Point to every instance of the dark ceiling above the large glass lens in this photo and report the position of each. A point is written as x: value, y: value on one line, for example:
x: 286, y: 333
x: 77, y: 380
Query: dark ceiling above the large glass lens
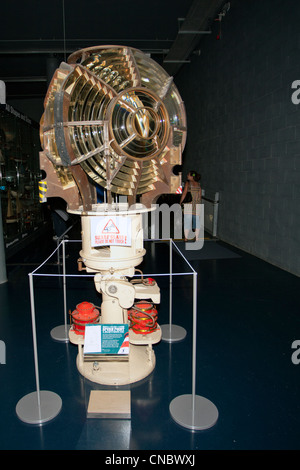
x: 36, y: 35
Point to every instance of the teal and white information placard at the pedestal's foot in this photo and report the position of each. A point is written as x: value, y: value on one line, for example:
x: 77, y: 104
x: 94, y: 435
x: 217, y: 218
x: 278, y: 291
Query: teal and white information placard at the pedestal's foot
x: 106, y: 339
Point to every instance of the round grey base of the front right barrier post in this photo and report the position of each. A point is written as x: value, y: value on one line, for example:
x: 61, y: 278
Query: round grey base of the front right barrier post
x: 202, y: 415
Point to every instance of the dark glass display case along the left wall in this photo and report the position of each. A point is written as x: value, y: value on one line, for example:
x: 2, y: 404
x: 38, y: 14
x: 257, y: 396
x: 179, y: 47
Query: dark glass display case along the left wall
x: 22, y: 213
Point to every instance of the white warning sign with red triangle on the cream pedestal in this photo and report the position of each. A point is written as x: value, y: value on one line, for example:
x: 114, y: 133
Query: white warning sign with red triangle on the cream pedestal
x: 110, y: 230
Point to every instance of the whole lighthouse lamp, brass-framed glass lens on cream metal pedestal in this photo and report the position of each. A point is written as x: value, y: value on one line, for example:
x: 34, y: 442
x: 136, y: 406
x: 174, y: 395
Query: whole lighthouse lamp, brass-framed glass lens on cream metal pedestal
x: 113, y: 118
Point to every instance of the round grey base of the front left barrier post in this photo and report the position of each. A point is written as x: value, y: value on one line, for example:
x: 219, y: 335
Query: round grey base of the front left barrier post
x: 30, y: 411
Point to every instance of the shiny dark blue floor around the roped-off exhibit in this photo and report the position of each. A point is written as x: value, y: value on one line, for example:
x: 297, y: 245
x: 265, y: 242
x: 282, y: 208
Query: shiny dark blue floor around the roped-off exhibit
x: 247, y: 320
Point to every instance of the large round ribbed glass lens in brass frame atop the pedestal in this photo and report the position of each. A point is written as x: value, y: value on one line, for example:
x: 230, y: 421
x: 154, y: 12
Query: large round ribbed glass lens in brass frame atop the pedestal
x: 114, y: 114
